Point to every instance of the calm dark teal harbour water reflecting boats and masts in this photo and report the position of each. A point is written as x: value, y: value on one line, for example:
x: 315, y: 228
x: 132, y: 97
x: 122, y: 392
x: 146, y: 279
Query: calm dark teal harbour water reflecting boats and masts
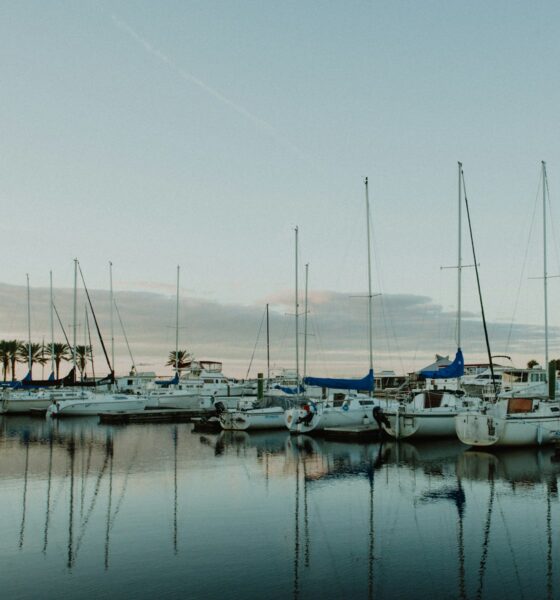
x: 158, y: 511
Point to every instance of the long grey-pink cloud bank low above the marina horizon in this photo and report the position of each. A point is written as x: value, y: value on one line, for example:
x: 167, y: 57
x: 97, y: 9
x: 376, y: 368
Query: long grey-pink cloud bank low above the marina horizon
x: 408, y: 330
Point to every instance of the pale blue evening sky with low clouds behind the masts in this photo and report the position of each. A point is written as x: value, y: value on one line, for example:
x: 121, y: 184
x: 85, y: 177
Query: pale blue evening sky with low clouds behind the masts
x: 201, y: 134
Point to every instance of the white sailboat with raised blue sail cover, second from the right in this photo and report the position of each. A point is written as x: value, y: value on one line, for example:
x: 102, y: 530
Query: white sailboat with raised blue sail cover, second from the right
x: 431, y: 412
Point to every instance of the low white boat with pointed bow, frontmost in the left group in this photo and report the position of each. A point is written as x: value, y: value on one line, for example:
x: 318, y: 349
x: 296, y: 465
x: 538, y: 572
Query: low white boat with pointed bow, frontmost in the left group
x: 93, y: 404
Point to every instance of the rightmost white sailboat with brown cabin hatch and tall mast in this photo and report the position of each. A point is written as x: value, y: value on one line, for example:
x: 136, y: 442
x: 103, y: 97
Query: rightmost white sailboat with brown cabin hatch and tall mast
x: 529, y: 416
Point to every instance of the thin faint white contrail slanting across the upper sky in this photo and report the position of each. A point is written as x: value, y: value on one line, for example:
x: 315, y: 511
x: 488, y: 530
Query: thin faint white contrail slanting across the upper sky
x: 201, y: 84
